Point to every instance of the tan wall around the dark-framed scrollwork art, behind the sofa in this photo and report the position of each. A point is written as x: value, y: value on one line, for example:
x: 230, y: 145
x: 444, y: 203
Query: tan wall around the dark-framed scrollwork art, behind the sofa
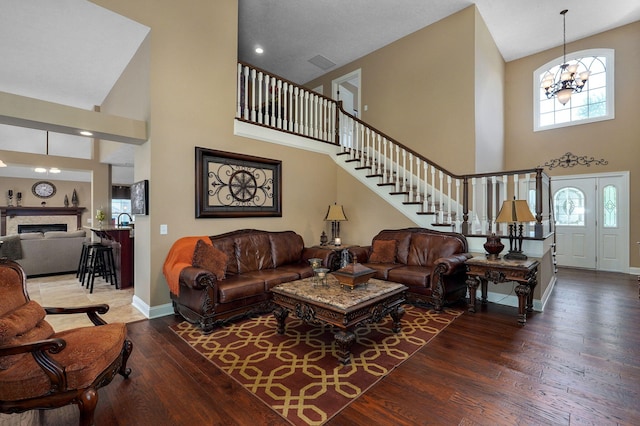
x: 192, y: 96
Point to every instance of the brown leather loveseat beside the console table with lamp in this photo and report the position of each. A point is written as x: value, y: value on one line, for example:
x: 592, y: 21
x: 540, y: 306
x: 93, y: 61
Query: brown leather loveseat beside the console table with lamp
x: 430, y: 263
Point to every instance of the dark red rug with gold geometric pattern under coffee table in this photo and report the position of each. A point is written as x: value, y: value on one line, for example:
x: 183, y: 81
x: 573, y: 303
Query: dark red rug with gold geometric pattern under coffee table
x: 298, y: 373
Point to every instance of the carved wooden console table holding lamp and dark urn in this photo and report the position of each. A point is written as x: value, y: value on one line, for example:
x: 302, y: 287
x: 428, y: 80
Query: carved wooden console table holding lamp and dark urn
x: 481, y: 270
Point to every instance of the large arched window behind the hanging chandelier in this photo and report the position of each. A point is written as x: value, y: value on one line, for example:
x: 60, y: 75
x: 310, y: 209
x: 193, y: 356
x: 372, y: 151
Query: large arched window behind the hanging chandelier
x: 594, y: 103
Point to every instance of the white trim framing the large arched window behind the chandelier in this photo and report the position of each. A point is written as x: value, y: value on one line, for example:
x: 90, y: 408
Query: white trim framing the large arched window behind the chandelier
x: 609, y: 54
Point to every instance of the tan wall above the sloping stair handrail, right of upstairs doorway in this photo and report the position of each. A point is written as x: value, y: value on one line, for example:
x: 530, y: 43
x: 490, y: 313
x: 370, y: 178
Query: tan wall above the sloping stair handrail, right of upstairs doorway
x: 420, y: 90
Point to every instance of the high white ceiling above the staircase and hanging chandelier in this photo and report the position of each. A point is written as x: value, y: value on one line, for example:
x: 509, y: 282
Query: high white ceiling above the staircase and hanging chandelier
x: 292, y: 32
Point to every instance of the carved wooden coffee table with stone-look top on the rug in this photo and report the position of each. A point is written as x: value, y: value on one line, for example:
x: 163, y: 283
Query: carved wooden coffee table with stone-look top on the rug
x: 340, y: 307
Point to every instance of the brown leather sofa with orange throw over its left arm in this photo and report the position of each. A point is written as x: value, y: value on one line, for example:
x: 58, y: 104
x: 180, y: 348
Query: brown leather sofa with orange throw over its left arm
x: 217, y: 279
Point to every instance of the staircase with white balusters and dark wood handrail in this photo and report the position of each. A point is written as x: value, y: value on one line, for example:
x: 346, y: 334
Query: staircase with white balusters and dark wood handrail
x: 426, y: 193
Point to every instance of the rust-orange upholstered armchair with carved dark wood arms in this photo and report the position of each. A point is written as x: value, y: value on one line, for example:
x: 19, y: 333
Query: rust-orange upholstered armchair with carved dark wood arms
x: 42, y: 369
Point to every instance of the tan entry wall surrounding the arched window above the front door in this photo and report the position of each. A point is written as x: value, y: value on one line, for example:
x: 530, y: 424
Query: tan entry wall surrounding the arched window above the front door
x: 617, y: 140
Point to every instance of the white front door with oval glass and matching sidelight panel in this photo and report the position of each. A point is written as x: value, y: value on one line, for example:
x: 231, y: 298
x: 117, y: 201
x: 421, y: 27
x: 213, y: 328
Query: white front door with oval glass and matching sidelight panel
x: 592, y: 221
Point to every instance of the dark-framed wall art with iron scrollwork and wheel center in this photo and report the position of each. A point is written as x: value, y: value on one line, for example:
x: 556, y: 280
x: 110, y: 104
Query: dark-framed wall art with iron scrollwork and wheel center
x: 237, y: 185
